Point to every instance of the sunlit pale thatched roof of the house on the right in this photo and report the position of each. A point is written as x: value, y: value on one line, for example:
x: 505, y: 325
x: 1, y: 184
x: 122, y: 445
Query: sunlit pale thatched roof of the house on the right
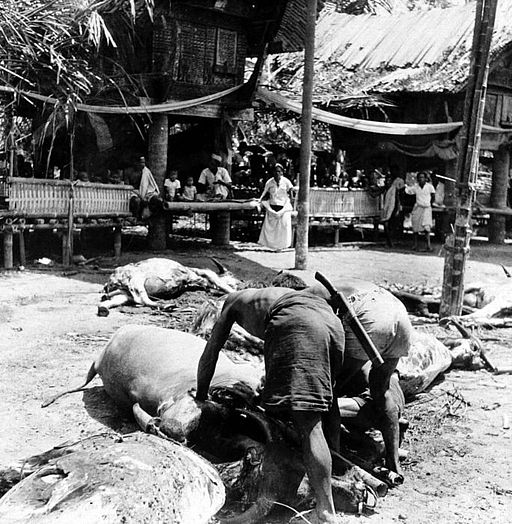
x: 426, y: 51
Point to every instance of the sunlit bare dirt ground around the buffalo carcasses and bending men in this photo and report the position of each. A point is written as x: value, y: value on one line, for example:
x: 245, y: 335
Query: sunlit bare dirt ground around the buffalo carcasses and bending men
x: 460, y: 459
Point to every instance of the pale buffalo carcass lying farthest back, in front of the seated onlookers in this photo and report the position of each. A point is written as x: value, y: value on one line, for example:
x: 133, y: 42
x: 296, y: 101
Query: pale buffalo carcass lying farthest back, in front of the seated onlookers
x: 143, y: 281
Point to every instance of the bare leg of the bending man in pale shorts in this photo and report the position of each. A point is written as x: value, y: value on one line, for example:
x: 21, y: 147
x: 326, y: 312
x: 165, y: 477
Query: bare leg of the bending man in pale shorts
x: 387, y: 409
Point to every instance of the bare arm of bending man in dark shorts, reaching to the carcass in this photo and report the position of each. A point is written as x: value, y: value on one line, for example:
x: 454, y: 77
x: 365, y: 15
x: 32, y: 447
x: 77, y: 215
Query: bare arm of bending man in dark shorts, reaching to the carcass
x: 208, y: 360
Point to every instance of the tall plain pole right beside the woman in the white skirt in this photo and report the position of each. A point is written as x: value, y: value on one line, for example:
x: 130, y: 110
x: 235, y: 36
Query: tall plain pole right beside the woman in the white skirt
x: 301, y: 246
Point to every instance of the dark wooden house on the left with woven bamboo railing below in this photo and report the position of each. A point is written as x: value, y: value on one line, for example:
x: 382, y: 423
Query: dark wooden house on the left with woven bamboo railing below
x: 172, y: 88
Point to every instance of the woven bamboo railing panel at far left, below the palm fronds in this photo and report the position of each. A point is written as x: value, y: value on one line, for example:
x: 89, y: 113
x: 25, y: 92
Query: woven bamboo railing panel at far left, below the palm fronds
x: 35, y: 198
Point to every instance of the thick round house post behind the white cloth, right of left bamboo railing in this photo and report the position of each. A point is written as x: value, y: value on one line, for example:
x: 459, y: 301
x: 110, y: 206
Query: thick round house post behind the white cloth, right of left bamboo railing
x: 158, y: 138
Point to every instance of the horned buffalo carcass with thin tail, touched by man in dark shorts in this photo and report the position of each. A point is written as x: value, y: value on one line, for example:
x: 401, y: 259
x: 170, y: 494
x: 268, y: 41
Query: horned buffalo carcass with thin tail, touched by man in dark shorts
x: 152, y: 371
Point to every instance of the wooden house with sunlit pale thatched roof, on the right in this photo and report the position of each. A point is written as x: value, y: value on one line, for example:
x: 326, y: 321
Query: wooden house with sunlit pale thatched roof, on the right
x: 416, y: 66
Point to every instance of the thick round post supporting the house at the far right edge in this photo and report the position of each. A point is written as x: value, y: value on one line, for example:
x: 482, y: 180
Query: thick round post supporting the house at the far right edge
x: 499, y: 189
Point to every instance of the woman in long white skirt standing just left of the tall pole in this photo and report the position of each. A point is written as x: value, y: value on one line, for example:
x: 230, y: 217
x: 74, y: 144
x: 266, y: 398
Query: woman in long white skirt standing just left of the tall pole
x: 276, y: 232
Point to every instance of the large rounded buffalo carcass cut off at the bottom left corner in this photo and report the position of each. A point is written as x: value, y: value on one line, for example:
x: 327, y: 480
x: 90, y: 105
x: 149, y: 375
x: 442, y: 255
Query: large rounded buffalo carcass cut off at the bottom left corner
x: 107, y: 478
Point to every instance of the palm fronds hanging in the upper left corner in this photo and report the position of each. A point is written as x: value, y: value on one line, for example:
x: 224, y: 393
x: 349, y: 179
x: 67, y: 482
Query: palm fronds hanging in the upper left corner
x: 50, y: 46
